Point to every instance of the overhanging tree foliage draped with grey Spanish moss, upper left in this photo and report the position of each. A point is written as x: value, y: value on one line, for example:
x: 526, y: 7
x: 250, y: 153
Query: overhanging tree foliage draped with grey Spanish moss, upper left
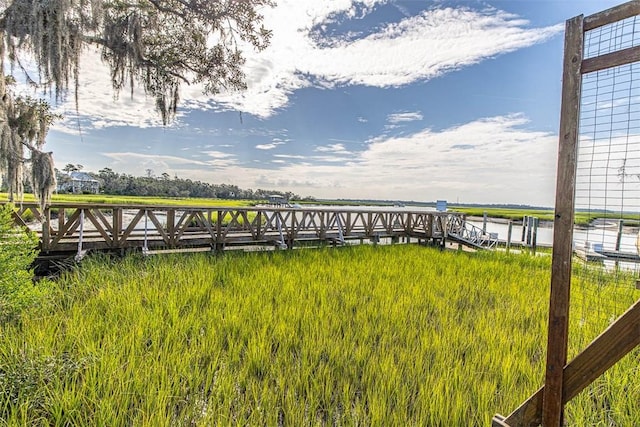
x: 156, y: 44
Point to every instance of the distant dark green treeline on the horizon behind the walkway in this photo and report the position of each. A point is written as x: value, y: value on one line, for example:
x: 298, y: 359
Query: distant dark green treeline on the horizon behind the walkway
x: 112, y: 182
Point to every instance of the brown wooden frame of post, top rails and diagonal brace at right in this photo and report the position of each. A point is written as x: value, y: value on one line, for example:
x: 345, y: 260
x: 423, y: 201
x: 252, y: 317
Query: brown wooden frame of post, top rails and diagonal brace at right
x: 565, y: 379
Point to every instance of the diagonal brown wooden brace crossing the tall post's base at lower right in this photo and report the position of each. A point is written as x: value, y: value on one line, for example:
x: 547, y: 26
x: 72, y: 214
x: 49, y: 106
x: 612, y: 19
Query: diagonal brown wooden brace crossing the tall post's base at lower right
x: 607, y: 349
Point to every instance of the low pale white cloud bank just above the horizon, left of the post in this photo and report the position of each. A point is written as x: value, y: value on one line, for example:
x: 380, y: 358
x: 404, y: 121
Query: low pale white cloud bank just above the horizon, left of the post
x: 491, y: 160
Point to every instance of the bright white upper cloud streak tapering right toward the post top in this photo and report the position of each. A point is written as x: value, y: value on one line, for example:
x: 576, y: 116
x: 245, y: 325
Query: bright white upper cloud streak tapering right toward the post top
x: 418, y: 48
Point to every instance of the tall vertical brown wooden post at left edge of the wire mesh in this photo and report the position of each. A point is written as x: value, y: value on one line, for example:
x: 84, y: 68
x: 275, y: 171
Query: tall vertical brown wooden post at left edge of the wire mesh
x: 553, y: 407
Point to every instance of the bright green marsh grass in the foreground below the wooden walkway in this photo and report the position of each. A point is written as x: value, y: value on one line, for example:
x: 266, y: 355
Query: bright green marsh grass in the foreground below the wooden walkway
x: 386, y: 335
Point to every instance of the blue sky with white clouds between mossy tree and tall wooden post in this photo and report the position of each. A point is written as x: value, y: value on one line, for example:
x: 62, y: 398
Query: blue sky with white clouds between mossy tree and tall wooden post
x: 378, y: 99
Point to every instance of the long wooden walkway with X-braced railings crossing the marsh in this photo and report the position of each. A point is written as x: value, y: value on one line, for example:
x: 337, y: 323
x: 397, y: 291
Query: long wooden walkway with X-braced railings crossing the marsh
x: 66, y: 229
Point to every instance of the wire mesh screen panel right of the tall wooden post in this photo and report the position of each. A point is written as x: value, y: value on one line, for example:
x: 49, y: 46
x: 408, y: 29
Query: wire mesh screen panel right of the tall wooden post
x: 608, y: 178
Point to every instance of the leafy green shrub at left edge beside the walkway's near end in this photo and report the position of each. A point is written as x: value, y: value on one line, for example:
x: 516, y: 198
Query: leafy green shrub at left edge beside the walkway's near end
x: 17, y: 253
